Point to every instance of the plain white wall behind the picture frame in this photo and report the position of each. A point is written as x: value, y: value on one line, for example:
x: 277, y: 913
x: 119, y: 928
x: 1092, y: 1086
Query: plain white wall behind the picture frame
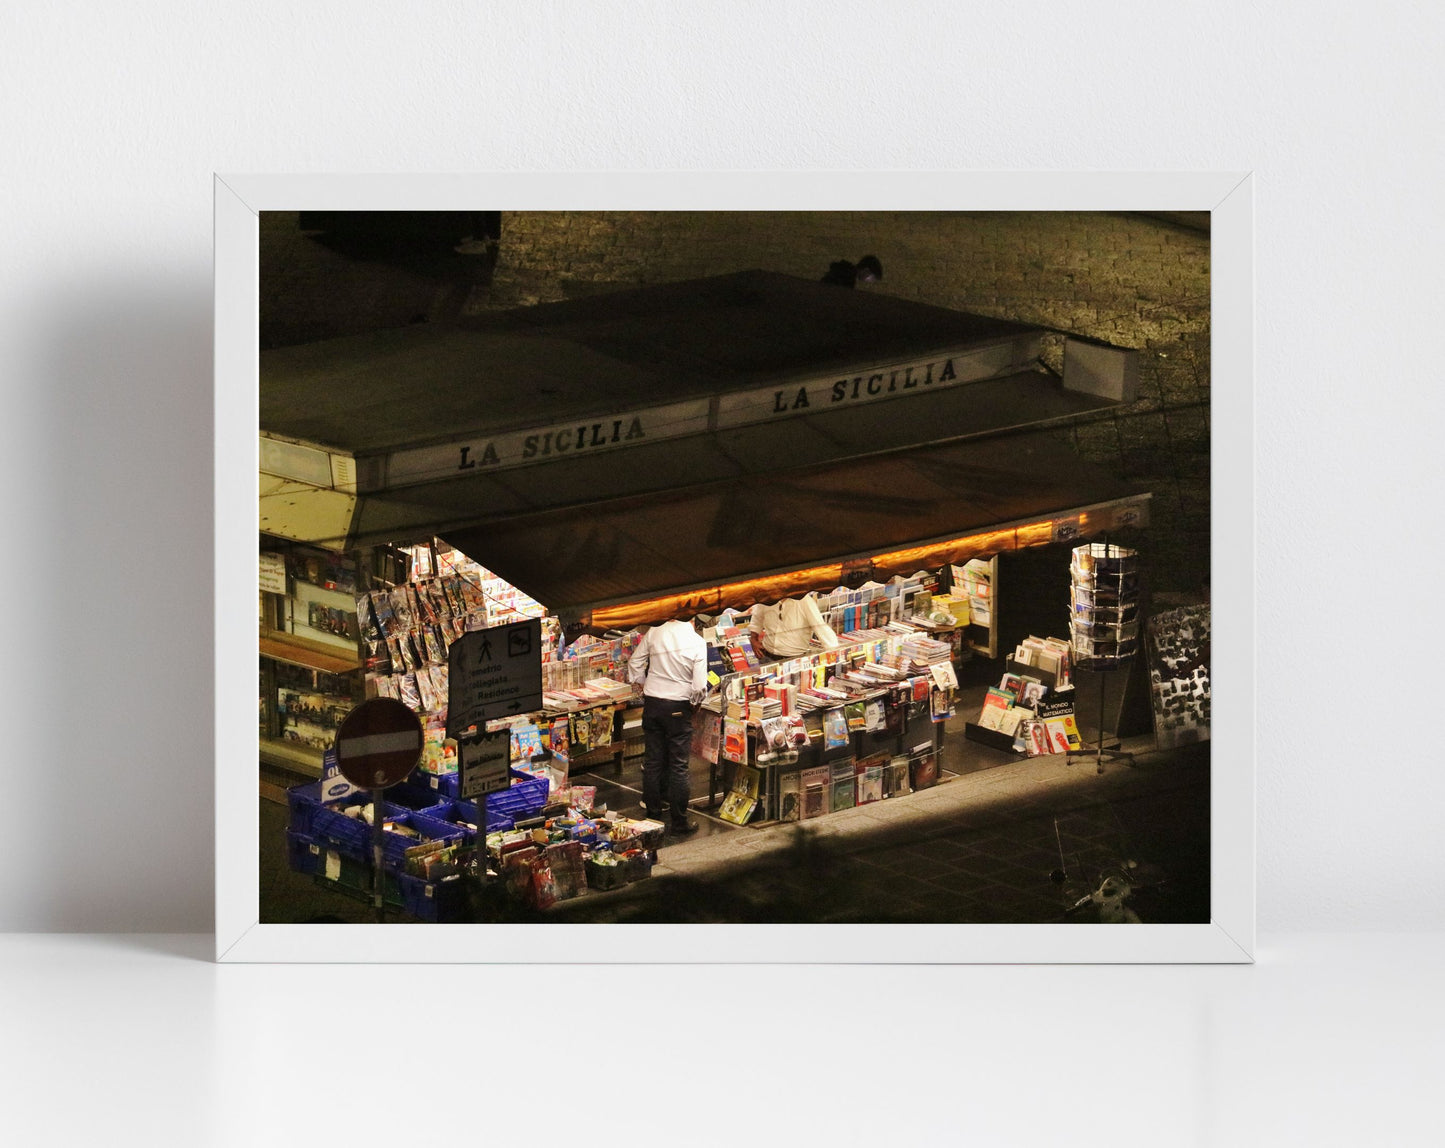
x: 113, y: 118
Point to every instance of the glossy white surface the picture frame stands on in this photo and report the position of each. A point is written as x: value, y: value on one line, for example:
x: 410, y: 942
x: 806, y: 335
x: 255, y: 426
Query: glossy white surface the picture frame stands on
x: 1327, y: 1040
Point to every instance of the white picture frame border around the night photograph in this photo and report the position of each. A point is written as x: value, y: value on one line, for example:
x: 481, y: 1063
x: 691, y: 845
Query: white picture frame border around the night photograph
x: 1230, y: 936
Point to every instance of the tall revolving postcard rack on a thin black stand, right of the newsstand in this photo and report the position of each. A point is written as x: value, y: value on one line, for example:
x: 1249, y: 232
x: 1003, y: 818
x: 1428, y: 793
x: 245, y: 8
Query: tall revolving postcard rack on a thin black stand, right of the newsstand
x: 1103, y: 624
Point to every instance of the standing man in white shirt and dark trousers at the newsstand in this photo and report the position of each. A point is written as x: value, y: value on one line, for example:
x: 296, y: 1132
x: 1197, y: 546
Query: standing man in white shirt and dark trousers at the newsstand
x: 671, y: 664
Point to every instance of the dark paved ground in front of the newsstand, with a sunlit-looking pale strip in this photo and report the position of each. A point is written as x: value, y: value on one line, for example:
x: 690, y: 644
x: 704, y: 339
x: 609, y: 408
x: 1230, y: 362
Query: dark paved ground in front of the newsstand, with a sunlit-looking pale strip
x: 989, y: 847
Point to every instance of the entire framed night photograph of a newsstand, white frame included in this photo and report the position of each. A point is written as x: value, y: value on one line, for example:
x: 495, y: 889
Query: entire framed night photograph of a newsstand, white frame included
x: 530, y: 417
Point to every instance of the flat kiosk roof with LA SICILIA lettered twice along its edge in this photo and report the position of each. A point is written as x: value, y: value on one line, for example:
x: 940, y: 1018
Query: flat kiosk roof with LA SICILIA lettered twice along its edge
x: 401, y: 436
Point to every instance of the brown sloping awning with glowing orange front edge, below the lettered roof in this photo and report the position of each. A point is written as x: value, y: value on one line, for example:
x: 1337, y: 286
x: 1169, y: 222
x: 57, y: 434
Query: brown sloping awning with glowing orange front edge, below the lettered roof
x: 772, y: 536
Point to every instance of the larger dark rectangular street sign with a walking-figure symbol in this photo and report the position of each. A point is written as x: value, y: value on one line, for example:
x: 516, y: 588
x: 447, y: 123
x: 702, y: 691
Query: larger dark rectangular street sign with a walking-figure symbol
x: 495, y: 673
